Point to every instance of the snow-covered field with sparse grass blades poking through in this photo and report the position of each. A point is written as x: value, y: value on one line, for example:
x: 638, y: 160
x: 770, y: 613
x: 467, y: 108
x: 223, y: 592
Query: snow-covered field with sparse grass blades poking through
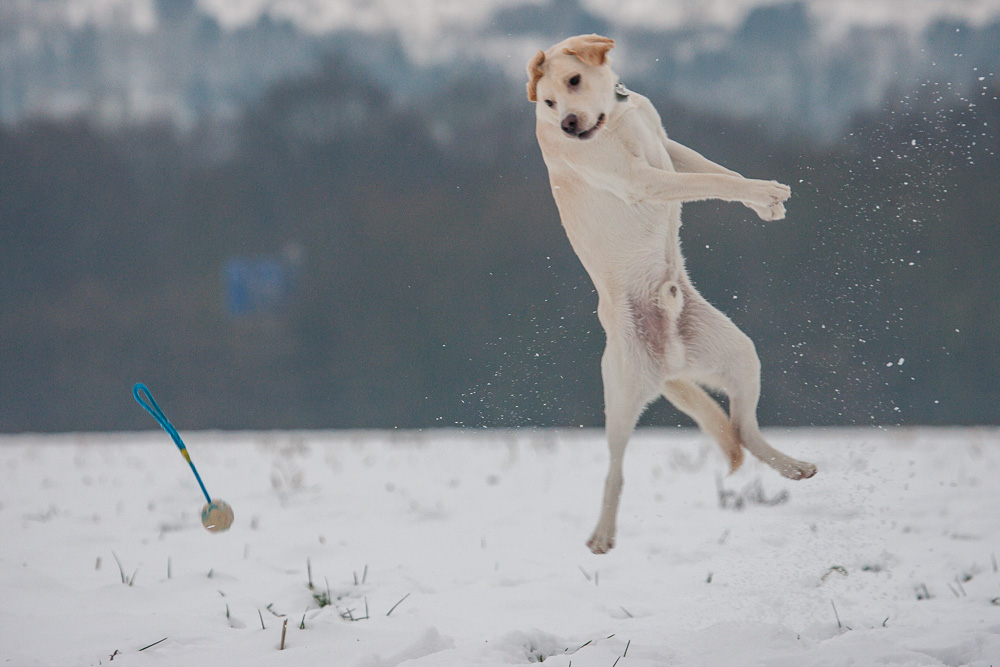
x: 460, y: 548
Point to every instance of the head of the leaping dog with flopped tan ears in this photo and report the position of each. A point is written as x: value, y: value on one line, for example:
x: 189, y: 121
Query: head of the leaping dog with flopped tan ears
x: 573, y: 86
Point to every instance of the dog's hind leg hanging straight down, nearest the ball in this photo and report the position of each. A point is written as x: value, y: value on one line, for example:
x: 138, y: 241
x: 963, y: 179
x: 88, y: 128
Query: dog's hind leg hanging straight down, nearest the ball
x: 625, y: 396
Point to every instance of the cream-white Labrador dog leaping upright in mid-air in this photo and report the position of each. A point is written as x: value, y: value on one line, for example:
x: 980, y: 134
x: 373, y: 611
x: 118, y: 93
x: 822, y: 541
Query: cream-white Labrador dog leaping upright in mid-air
x: 619, y: 182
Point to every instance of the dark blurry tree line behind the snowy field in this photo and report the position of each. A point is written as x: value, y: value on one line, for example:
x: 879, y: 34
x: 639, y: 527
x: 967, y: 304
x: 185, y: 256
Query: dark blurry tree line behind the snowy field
x: 434, y: 285
